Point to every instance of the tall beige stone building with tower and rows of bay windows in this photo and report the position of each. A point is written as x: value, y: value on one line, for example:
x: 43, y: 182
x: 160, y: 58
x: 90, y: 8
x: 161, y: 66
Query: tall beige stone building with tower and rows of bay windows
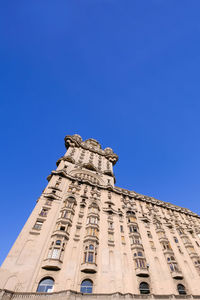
x: 87, y: 238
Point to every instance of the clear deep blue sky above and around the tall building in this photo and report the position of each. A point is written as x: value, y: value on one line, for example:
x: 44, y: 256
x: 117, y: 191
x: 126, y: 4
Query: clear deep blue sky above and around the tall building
x: 123, y: 72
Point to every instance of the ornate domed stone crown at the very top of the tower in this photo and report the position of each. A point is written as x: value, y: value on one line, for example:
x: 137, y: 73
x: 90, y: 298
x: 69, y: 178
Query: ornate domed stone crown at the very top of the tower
x: 91, y: 145
